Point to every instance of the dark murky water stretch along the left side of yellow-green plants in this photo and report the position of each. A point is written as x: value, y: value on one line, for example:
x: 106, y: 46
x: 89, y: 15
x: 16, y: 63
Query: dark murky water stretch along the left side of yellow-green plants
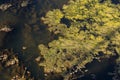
x: 24, y: 35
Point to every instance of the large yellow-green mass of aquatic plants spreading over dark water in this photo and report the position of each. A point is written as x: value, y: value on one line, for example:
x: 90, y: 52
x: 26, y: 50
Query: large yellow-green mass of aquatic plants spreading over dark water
x: 93, y: 31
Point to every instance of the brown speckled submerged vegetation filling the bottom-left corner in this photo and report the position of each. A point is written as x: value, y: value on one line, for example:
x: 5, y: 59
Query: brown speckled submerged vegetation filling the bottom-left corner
x: 11, y: 68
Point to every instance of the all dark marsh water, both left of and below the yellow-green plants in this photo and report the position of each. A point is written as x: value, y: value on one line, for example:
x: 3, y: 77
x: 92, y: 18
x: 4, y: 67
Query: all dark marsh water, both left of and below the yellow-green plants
x: 28, y: 32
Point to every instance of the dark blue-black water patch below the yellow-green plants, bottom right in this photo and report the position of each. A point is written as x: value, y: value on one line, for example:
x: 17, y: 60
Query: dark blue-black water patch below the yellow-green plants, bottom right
x: 100, y: 69
